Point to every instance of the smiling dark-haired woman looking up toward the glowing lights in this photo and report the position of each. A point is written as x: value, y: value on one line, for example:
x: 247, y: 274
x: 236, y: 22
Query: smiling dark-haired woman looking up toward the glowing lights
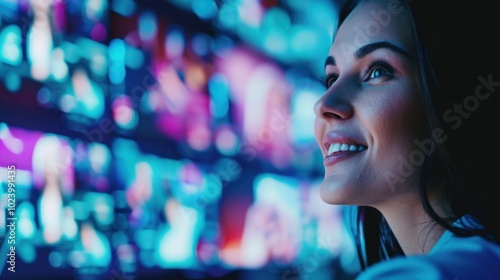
x: 406, y: 128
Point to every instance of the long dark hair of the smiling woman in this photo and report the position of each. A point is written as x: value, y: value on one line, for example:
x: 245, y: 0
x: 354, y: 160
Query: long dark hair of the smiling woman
x: 457, y: 66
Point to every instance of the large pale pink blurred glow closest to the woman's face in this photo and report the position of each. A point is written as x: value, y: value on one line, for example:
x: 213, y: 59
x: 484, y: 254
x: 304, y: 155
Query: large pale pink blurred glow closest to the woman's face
x: 261, y: 100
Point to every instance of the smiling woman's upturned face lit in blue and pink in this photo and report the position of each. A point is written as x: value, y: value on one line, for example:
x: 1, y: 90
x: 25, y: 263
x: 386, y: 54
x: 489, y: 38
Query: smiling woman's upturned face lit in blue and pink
x: 370, y: 118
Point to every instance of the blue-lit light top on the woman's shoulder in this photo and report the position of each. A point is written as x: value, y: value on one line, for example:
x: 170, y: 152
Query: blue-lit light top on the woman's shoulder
x: 452, y: 258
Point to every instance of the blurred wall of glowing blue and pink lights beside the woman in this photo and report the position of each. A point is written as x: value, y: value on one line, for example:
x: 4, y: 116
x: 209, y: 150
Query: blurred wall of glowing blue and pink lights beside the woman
x: 164, y: 138
